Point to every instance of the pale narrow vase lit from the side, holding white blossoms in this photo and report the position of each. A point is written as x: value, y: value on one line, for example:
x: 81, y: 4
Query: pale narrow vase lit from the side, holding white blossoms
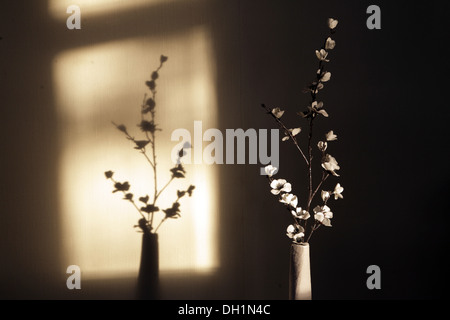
x: 299, y: 273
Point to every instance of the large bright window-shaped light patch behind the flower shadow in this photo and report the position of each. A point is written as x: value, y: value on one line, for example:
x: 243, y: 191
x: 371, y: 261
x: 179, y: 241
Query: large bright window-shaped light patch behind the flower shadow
x: 99, y: 84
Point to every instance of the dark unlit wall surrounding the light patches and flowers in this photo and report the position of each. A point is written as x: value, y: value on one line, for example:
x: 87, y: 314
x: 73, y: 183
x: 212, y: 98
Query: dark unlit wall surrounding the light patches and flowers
x: 387, y: 101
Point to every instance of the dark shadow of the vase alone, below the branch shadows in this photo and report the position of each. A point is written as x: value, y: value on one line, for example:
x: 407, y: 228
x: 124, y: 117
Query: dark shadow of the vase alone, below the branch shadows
x: 148, y: 278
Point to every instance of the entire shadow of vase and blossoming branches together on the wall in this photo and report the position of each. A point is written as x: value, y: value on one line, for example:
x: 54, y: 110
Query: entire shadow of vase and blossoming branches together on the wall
x: 147, y: 206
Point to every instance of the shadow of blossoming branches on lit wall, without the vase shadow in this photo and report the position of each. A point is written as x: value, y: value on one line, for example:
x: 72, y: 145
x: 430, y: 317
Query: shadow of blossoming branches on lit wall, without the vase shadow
x: 148, y: 126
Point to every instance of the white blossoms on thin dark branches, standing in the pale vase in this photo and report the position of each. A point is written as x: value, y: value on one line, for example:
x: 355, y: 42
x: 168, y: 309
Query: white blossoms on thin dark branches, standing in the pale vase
x: 300, y: 231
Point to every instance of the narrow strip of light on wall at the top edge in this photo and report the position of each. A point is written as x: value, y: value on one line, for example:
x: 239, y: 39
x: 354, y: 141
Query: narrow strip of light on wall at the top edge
x: 89, y: 8
